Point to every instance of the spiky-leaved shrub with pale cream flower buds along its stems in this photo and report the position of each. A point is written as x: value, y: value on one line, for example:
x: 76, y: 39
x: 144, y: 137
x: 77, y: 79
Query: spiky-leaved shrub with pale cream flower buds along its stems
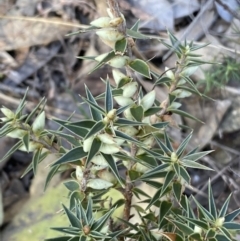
x: 129, y: 131
